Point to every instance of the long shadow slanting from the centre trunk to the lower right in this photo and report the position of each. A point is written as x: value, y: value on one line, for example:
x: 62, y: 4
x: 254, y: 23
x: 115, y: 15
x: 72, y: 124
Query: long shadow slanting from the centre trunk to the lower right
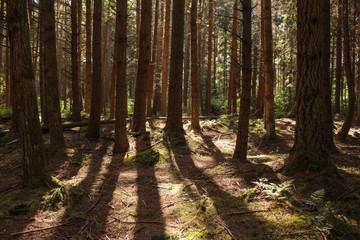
x: 241, y: 226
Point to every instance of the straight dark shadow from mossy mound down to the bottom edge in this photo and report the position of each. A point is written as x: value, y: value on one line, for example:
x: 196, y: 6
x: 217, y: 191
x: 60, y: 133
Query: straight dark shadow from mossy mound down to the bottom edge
x: 149, y: 217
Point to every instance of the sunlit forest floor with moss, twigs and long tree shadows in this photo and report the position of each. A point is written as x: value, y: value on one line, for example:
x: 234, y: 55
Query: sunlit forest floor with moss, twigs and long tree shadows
x: 181, y: 188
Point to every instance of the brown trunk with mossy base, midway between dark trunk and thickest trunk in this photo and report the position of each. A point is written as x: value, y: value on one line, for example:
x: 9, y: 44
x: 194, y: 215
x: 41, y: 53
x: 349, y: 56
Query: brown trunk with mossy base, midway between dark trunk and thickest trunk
x: 269, y: 72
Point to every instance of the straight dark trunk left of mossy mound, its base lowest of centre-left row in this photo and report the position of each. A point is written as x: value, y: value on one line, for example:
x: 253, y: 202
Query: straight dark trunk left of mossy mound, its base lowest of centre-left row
x: 121, y: 141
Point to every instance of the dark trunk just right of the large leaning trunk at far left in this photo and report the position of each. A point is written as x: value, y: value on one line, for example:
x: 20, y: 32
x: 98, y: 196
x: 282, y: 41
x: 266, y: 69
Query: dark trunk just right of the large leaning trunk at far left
x: 50, y: 72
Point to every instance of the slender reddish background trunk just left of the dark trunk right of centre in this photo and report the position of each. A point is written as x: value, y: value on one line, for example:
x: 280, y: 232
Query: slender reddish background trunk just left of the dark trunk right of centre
x: 233, y: 56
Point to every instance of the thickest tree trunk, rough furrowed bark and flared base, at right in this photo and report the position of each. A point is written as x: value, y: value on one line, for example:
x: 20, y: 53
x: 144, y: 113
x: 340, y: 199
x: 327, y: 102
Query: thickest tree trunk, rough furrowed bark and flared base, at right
x: 310, y: 152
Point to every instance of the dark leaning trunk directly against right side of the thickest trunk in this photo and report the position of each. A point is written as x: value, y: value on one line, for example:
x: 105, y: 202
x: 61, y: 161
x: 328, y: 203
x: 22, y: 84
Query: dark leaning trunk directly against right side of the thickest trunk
x: 326, y: 81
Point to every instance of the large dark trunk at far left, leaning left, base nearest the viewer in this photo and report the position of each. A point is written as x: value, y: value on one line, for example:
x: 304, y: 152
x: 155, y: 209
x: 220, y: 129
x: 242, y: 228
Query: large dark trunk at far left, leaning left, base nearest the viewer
x: 22, y: 74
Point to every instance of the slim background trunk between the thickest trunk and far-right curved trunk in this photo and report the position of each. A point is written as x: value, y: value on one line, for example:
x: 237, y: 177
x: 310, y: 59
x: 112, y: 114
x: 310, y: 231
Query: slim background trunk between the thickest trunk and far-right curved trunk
x: 338, y: 58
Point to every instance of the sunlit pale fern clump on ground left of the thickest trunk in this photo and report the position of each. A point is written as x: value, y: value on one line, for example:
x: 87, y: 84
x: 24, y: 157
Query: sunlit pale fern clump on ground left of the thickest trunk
x: 272, y: 190
